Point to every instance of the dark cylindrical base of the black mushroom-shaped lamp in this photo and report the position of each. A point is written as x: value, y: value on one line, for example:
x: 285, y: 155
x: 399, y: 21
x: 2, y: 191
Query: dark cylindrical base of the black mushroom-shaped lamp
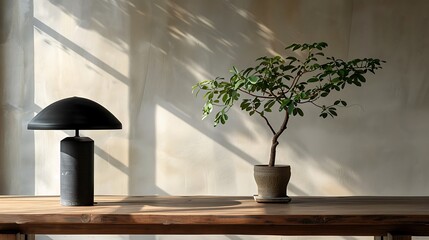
x: 77, y: 171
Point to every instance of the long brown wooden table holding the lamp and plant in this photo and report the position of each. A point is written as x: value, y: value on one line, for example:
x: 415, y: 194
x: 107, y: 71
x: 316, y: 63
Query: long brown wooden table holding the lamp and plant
x: 395, y: 217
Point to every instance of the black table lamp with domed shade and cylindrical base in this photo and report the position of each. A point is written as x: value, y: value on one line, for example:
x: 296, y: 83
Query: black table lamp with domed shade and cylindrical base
x: 77, y: 153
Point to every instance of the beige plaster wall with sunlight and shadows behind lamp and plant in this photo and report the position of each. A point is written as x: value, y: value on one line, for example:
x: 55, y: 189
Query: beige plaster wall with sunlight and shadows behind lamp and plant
x: 140, y: 58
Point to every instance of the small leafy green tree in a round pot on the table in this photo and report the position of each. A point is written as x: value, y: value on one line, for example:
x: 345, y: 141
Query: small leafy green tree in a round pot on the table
x: 283, y: 84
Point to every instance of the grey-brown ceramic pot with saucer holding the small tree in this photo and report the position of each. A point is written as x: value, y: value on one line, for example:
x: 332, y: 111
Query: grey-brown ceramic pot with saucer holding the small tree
x: 272, y: 183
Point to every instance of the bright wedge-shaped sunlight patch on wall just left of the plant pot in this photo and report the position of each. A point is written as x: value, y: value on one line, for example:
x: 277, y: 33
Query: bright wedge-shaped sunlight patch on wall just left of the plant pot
x: 189, y: 162
